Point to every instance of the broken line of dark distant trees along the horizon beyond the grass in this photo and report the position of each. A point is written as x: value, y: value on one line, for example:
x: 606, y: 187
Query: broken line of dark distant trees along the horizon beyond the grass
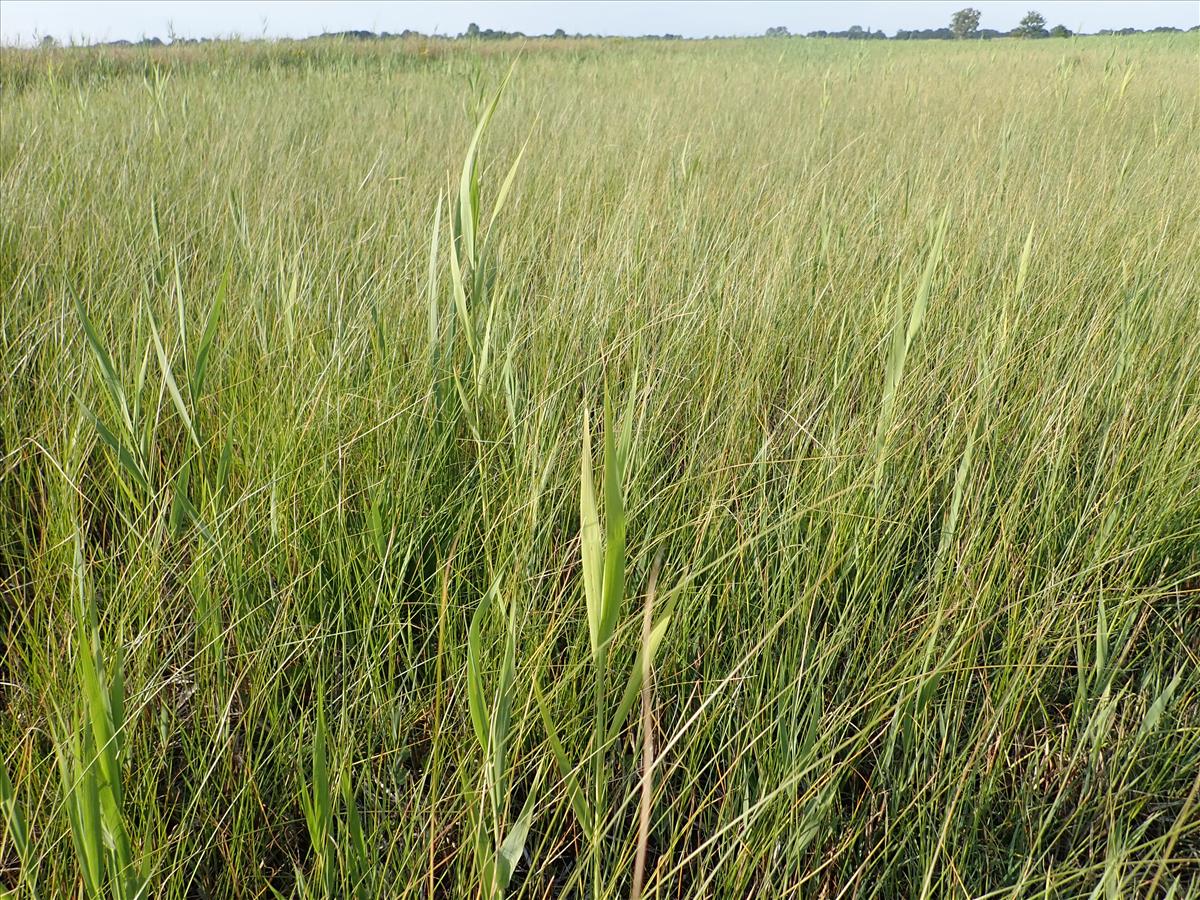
x: 964, y: 26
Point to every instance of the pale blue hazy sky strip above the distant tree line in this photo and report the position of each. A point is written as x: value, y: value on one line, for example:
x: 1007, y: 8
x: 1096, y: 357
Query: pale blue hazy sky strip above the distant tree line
x: 26, y: 21
